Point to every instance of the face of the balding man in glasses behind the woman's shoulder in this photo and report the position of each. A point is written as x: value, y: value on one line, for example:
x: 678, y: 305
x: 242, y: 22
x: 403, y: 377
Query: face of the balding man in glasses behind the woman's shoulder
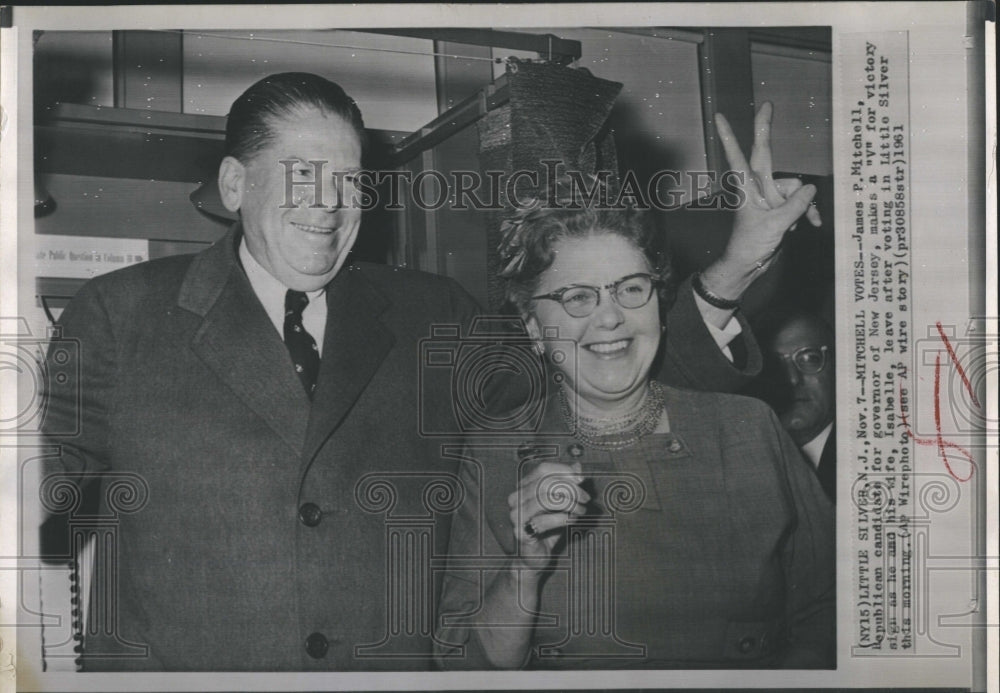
x: 812, y: 398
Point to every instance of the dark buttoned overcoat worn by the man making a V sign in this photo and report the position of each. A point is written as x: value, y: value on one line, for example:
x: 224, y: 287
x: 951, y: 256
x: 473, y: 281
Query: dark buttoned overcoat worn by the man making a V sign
x: 265, y: 533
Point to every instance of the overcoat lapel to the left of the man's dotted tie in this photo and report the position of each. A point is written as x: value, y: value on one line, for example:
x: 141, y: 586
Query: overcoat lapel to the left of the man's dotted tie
x: 238, y: 342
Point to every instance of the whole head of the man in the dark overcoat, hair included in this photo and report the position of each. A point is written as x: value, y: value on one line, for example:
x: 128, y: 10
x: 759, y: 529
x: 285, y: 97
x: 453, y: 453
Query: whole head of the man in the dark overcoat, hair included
x: 303, y: 241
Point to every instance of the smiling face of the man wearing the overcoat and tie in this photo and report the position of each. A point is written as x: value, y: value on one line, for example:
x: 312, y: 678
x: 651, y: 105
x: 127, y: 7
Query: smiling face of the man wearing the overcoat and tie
x: 303, y: 247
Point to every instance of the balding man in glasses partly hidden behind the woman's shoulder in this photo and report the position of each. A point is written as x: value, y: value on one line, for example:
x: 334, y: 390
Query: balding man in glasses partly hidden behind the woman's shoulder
x: 803, y: 362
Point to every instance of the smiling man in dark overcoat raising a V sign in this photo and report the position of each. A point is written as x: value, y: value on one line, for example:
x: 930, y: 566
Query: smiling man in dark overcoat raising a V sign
x: 261, y: 400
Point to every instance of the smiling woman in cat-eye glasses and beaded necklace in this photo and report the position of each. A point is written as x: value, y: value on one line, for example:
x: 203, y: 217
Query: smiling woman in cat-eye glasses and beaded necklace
x: 640, y: 525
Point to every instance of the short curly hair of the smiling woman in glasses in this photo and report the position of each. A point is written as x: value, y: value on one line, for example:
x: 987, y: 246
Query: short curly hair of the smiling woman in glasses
x: 530, y: 234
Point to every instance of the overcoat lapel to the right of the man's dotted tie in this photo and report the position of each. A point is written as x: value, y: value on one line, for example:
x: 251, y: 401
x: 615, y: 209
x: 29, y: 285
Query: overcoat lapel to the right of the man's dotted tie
x: 354, y: 346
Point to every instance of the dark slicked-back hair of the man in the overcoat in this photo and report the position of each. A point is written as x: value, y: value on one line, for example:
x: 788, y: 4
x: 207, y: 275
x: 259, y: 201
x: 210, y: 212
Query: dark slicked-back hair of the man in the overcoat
x: 249, y: 126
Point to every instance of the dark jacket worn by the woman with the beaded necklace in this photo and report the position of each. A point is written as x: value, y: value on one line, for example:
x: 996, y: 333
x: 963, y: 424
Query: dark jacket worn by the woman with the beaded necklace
x: 710, y: 546
